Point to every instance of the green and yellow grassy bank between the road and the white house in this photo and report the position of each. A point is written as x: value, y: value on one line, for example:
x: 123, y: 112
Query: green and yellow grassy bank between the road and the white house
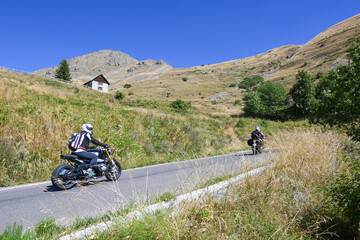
x: 38, y: 116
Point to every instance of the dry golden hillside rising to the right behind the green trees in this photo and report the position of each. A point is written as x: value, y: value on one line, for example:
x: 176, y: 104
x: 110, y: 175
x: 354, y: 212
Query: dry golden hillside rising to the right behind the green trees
x: 321, y: 54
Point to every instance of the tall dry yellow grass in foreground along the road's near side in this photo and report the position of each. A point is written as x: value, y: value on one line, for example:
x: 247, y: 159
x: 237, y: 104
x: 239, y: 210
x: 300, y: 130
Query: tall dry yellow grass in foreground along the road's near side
x: 271, y: 205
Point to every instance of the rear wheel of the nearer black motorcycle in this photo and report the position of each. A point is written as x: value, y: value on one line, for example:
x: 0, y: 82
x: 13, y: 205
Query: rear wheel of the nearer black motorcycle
x: 58, y: 177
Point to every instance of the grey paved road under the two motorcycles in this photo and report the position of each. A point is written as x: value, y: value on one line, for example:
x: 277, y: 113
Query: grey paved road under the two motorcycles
x: 28, y: 204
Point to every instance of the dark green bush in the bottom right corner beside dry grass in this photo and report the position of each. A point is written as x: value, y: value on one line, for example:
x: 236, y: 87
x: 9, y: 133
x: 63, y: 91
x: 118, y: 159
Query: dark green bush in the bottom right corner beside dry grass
x: 341, y: 207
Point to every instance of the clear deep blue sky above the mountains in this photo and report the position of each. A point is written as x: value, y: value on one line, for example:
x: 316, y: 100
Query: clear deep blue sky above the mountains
x: 38, y: 34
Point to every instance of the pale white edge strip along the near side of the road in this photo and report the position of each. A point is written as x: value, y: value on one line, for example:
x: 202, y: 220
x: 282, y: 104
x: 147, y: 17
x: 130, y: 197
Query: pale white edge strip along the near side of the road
x: 194, y: 195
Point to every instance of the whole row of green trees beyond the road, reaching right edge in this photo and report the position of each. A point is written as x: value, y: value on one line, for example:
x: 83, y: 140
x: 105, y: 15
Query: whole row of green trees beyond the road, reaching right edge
x: 332, y: 99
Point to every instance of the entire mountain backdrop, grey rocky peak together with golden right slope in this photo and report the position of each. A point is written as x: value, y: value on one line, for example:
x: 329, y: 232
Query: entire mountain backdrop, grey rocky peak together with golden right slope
x: 208, y: 85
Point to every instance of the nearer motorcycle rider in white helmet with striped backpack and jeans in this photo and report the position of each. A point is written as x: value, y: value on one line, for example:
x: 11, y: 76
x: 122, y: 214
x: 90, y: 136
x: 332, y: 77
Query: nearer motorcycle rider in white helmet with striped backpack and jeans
x: 86, y: 138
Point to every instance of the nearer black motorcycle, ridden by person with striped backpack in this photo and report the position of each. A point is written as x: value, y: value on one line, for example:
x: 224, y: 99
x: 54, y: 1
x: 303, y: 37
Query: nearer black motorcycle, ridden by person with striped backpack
x: 66, y: 176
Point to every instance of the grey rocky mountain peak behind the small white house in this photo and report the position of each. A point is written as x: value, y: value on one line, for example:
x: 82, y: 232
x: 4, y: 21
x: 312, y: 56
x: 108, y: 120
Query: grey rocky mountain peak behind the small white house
x: 116, y: 66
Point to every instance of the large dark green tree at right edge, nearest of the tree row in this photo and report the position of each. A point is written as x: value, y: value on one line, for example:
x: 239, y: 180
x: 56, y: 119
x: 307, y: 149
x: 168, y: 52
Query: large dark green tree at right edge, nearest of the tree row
x: 338, y: 95
